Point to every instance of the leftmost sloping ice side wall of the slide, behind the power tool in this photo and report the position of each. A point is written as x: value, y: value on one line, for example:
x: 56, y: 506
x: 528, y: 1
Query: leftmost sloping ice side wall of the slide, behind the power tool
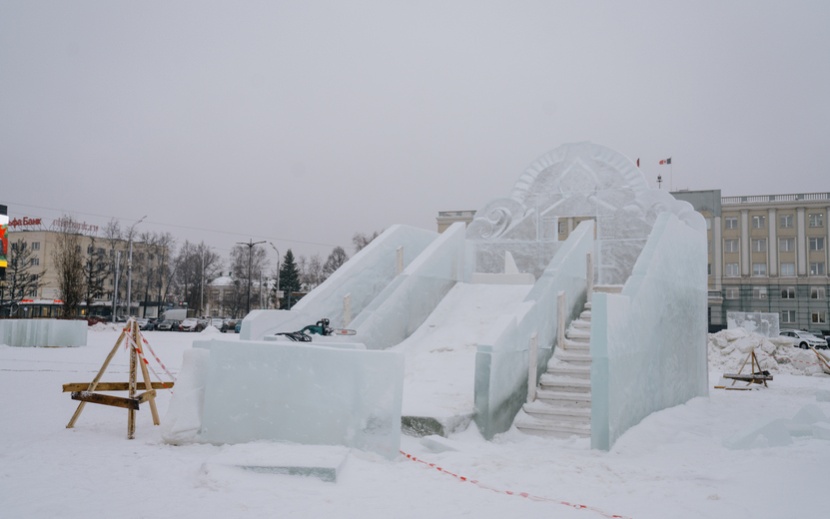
x: 362, y: 278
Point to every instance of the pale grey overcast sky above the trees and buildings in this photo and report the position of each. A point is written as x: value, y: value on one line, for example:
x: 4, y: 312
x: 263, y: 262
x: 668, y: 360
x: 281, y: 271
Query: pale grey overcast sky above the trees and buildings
x: 304, y: 122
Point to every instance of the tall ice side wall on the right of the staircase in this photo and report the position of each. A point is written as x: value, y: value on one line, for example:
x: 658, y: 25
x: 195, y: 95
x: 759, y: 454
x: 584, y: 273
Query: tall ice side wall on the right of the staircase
x: 649, y: 343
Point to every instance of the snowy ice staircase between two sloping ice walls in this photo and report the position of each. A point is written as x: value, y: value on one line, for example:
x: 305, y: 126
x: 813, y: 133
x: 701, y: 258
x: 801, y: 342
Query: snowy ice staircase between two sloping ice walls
x: 562, y: 407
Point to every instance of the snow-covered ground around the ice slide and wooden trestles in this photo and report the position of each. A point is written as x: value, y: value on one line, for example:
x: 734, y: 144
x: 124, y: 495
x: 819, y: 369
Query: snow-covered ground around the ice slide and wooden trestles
x: 710, y: 457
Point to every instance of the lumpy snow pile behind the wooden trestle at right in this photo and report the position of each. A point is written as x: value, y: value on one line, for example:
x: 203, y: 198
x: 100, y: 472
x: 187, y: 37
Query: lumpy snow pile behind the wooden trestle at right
x: 728, y: 349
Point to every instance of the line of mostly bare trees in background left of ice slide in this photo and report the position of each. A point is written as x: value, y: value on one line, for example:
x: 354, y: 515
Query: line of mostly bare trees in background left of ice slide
x: 160, y: 273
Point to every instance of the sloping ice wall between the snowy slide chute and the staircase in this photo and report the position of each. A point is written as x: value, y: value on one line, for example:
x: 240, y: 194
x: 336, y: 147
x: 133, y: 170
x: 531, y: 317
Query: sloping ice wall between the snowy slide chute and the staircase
x: 502, y: 368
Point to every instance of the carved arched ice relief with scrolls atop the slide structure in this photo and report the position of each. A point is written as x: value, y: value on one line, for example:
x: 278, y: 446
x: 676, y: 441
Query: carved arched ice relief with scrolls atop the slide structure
x: 578, y: 181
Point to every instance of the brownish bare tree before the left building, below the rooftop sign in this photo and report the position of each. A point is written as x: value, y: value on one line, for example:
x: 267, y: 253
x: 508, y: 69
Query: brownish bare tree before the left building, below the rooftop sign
x: 69, y: 265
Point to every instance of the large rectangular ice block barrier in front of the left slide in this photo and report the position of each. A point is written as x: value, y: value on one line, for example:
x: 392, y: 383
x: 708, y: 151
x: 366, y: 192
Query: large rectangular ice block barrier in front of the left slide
x: 302, y: 393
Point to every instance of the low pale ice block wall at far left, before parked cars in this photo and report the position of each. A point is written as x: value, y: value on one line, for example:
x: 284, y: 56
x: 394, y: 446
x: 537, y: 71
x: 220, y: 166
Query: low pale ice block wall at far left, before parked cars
x: 43, y: 332
